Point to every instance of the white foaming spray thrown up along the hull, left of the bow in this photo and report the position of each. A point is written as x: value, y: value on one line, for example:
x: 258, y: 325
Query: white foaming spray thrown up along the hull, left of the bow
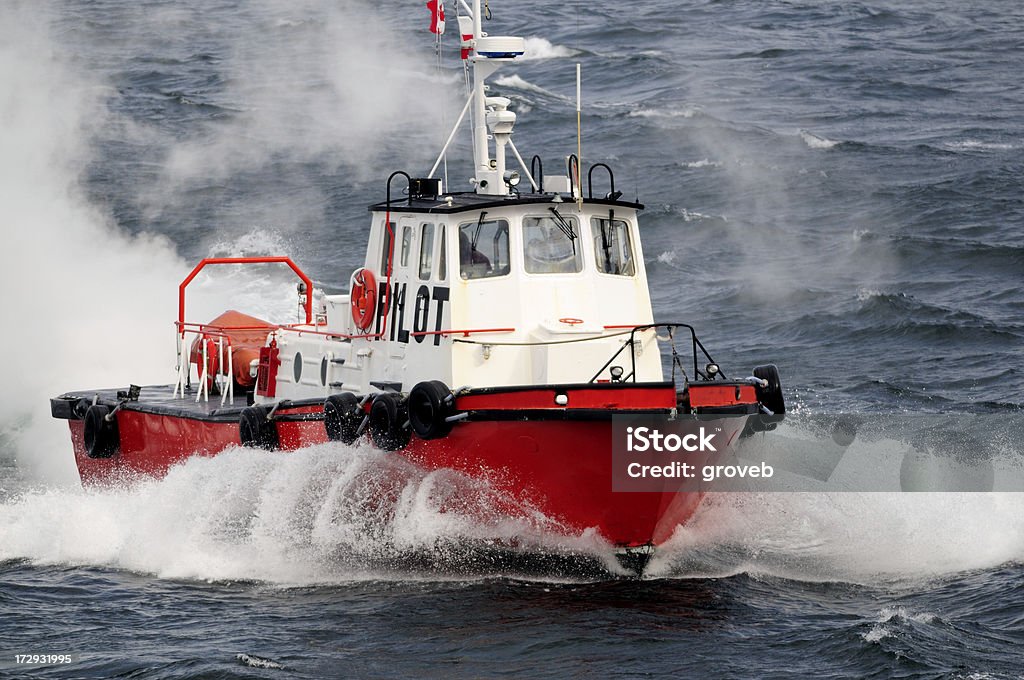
x: 320, y: 515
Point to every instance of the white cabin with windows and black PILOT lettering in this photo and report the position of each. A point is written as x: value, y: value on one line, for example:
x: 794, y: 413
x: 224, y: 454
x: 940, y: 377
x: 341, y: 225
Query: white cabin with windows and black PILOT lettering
x: 521, y: 291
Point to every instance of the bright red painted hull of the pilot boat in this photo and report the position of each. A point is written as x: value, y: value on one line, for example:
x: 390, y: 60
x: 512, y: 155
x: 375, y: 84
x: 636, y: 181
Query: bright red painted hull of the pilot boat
x: 517, y: 441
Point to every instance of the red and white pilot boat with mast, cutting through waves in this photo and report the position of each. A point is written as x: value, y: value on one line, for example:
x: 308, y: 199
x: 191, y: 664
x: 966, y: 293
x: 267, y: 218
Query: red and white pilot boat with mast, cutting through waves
x: 499, y: 332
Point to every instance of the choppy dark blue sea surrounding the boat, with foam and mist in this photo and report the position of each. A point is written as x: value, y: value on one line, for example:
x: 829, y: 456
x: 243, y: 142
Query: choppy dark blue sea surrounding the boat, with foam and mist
x: 835, y: 188
